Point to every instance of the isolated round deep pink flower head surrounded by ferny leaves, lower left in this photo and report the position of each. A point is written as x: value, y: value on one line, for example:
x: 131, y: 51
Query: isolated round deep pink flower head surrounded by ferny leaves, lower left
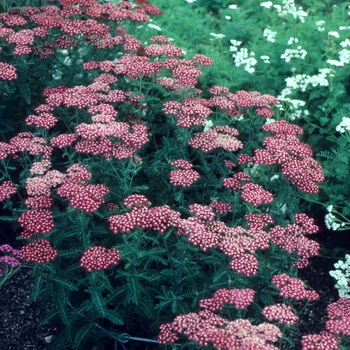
x: 99, y: 258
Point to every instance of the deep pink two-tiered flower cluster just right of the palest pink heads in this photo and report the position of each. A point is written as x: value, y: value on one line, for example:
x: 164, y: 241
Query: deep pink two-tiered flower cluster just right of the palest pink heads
x: 81, y: 195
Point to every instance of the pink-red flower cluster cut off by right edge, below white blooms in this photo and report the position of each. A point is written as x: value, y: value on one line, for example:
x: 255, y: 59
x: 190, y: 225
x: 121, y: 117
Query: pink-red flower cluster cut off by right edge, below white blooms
x: 339, y: 317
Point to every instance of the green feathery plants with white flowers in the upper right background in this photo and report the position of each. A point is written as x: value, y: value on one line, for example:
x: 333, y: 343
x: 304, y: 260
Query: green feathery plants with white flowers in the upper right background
x: 295, y: 50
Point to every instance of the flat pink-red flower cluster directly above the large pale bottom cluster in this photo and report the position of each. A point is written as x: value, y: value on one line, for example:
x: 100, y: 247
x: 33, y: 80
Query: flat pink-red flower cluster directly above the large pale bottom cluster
x: 240, y: 298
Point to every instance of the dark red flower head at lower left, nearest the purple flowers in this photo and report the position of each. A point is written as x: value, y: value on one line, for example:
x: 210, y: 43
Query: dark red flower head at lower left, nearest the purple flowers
x: 39, y: 251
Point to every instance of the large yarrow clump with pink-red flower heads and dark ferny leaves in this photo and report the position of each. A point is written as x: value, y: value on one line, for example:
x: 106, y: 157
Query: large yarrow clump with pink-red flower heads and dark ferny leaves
x: 138, y: 192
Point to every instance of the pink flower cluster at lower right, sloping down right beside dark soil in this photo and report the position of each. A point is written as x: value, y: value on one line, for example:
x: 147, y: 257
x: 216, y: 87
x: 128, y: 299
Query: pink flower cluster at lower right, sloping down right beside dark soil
x: 293, y: 288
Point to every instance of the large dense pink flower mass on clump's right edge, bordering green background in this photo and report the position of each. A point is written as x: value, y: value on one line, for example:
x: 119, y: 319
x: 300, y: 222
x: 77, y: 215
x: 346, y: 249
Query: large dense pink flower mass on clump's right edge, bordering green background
x: 285, y: 148
